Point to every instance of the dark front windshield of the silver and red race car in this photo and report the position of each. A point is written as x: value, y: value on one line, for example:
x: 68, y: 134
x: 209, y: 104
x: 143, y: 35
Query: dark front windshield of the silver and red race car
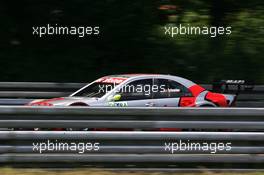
x: 96, y: 89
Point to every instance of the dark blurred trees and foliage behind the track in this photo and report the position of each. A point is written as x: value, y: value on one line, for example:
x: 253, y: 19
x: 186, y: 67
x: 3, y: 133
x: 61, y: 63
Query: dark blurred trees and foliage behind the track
x: 131, y: 40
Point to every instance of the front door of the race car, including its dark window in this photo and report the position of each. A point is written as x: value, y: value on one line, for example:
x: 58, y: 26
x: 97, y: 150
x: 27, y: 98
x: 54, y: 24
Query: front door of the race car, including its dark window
x: 135, y: 94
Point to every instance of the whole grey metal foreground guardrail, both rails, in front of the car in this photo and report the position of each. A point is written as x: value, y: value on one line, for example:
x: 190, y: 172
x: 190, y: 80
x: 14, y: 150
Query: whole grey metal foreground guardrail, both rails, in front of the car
x: 138, y: 139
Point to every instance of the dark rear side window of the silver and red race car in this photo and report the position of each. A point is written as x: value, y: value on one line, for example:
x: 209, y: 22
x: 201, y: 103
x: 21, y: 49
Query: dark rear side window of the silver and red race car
x: 170, y: 89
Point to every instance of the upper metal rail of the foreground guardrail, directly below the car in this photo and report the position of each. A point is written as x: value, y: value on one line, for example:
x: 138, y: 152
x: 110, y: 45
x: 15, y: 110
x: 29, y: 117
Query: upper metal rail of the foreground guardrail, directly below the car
x: 141, y: 118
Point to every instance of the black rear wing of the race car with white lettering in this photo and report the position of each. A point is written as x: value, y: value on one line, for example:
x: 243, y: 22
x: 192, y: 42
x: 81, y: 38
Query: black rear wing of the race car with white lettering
x: 232, y: 86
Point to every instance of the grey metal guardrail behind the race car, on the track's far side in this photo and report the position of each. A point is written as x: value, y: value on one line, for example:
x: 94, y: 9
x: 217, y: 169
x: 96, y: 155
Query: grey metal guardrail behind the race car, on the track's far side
x: 20, y: 93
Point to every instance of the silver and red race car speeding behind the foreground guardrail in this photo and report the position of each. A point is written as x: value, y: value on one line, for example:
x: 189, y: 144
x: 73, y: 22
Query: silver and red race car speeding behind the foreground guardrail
x: 141, y: 90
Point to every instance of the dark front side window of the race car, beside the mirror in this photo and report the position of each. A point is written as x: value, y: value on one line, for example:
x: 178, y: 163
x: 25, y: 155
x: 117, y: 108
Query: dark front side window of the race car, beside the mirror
x: 136, y: 90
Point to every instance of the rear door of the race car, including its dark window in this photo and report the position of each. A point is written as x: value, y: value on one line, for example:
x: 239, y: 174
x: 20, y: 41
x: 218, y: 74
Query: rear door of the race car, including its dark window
x: 170, y: 93
